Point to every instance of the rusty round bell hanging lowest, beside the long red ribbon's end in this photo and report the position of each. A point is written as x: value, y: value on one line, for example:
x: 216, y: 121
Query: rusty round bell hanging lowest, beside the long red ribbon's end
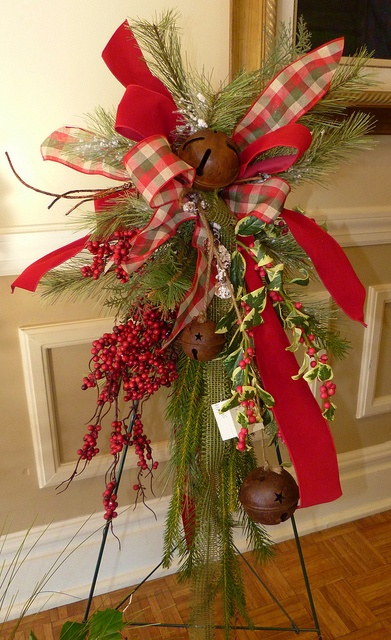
x: 269, y: 496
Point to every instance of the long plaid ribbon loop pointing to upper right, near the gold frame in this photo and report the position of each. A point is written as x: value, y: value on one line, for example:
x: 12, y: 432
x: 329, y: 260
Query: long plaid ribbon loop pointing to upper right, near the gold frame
x: 291, y: 93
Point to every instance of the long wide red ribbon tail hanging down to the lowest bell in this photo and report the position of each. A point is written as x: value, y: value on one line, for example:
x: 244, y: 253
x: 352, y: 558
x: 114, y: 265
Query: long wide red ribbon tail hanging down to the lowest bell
x: 304, y: 430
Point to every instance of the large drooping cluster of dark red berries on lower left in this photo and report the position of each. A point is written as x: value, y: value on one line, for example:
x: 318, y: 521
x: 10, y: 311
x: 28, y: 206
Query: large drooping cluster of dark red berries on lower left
x: 130, y: 363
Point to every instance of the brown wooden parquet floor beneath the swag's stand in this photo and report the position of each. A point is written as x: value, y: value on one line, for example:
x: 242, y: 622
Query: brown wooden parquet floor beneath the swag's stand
x: 349, y: 569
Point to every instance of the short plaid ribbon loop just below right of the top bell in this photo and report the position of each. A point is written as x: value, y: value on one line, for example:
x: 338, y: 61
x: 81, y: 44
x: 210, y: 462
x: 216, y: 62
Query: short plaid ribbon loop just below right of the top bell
x: 264, y: 200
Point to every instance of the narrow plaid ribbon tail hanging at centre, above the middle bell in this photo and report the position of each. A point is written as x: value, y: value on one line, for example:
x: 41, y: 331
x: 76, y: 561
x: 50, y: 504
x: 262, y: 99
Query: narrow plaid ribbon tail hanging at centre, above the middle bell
x: 201, y: 291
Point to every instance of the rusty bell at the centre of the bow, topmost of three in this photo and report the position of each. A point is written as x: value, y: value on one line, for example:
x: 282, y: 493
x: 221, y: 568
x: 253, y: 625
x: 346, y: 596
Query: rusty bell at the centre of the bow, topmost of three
x: 214, y: 156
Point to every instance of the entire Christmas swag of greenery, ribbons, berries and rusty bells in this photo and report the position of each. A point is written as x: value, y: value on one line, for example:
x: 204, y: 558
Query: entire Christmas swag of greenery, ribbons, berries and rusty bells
x: 206, y: 272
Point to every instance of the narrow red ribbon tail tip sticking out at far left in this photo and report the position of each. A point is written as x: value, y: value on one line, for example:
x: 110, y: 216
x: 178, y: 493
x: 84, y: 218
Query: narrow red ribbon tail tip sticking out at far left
x: 31, y: 276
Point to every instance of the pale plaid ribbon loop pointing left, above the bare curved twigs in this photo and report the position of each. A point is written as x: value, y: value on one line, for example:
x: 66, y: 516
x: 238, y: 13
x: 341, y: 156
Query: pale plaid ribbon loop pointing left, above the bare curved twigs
x: 62, y: 146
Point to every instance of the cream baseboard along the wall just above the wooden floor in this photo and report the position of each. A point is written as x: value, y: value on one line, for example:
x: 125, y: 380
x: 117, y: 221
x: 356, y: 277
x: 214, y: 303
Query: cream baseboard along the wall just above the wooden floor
x: 365, y: 478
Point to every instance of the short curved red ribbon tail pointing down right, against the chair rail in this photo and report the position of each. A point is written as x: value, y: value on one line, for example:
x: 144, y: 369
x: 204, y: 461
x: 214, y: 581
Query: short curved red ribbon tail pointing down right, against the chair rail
x: 330, y: 262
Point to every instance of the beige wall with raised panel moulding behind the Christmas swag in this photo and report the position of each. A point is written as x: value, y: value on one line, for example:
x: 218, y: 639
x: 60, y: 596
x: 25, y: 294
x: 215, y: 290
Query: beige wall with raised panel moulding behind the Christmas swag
x: 57, y: 76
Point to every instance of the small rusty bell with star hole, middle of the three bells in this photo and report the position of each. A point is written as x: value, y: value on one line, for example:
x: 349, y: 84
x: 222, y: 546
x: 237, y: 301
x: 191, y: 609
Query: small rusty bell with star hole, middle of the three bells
x: 200, y: 342
